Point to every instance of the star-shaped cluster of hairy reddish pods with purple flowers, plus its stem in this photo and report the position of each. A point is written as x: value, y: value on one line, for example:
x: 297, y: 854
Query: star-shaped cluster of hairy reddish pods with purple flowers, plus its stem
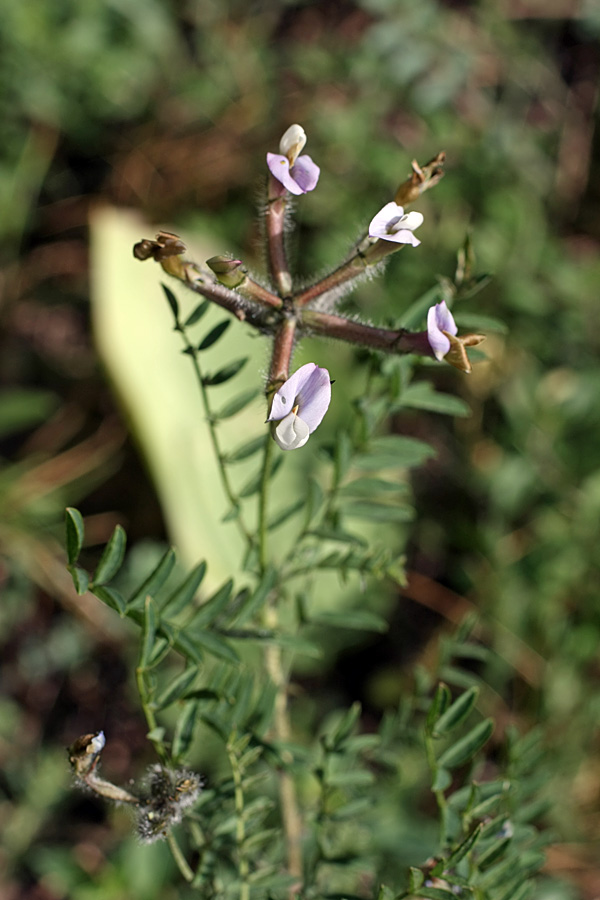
x: 296, y: 403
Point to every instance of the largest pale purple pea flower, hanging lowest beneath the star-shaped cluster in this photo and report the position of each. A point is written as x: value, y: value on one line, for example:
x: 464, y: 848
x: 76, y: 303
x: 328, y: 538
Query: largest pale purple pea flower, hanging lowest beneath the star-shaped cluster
x: 299, y: 406
